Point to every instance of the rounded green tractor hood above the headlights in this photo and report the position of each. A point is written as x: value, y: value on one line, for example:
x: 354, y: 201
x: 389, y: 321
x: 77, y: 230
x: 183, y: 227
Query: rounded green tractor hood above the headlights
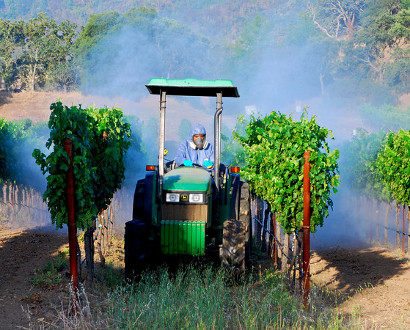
x: 187, y: 179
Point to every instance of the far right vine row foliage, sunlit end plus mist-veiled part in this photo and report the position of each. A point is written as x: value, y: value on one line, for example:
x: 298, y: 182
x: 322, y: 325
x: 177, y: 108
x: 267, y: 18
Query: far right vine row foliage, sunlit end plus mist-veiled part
x: 378, y: 165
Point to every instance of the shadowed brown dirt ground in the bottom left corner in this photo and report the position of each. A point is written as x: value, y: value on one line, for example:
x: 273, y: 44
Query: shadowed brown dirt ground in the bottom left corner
x: 22, y: 305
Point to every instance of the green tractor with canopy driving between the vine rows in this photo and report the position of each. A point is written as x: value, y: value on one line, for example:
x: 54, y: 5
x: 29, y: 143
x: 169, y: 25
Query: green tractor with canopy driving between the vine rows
x: 181, y: 211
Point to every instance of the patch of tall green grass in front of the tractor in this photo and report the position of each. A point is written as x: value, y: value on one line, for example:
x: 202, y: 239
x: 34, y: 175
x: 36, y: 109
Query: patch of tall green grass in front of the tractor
x: 195, y: 298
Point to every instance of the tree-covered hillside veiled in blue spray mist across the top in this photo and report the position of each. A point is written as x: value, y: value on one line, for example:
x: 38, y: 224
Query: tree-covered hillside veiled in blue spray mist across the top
x: 280, y: 52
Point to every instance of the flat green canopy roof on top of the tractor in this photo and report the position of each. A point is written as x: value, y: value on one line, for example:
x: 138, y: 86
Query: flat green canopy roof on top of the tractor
x: 193, y: 87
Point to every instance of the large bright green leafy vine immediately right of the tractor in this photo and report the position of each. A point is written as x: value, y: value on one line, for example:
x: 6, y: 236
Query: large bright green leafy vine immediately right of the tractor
x: 274, y: 146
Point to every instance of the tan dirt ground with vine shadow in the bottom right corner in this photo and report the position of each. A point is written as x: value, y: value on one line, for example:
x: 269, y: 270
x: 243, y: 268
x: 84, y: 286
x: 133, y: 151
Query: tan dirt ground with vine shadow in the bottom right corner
x: 373, y: 283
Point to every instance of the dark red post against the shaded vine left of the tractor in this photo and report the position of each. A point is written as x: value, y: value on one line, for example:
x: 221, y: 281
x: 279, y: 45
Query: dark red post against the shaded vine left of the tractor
x: 72, y: 229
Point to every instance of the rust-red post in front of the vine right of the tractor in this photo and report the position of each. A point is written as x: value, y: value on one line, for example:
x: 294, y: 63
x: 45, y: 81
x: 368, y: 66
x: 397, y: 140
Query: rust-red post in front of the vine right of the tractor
x: 306, y: 228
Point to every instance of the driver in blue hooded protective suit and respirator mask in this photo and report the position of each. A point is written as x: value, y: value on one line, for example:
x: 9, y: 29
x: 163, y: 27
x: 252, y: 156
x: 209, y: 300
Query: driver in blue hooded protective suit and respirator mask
x: 196, y: 150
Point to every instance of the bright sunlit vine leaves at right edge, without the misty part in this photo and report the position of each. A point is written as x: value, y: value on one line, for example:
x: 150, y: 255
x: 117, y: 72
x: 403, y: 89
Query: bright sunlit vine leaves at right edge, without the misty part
x: 393, y: 164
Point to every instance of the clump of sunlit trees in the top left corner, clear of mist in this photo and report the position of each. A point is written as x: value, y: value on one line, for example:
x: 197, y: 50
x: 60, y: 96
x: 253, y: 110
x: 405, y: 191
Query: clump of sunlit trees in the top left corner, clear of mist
x: 37, y: 52
